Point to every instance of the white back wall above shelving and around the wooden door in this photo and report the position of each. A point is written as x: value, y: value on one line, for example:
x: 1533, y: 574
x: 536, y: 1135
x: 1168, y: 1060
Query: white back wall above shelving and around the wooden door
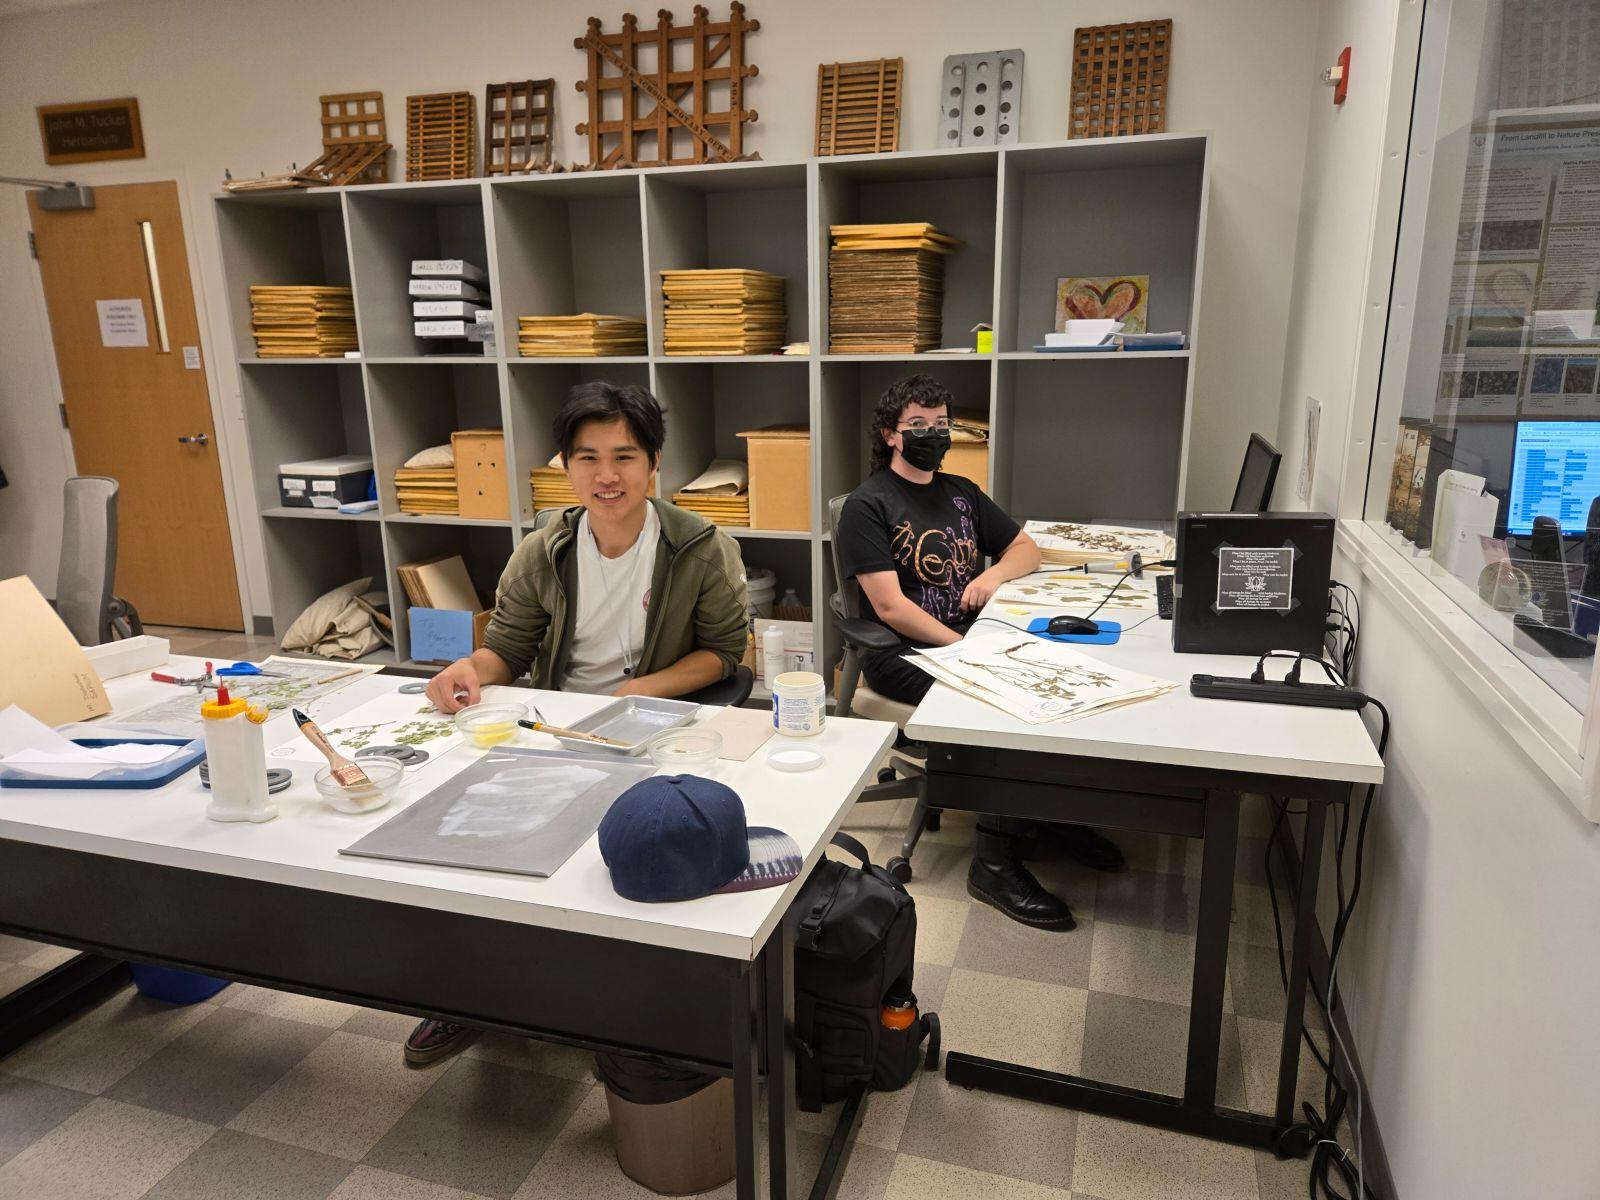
x: 236, y: 84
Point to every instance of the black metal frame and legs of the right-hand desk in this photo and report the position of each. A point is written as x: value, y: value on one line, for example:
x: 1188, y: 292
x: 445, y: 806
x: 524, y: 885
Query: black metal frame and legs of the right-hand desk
x: 1156, y: 799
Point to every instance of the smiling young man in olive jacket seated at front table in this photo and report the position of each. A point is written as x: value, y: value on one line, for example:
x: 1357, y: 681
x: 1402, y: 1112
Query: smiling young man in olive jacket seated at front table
x: 625, y: 596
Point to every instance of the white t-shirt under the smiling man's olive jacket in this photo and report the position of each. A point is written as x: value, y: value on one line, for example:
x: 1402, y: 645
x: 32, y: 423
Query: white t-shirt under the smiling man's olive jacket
x: 614, y: 604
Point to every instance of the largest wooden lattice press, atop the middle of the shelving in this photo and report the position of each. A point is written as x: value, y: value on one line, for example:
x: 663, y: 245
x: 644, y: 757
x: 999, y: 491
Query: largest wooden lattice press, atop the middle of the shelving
x: 633, y: 63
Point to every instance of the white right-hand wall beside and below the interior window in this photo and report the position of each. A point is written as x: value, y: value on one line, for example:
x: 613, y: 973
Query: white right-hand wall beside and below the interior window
x: 1473, y: 964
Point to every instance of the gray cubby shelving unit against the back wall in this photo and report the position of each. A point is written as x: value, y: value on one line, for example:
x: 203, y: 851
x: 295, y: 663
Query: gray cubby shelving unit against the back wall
x: 1071, y: 436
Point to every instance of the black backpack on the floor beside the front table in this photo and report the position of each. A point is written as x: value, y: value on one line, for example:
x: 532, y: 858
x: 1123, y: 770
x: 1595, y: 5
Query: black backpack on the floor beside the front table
x: 855, y: 943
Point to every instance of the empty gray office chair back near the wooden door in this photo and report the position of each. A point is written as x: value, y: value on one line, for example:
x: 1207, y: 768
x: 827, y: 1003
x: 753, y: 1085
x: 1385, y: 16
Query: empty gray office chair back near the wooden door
x: 89, y: 564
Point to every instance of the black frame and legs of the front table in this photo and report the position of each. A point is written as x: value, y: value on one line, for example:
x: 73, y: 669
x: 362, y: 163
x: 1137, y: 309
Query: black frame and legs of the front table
x: 698, y: 1010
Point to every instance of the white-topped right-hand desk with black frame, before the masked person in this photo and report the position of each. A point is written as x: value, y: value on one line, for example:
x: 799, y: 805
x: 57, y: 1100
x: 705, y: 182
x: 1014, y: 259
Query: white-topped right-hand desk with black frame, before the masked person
x: 1175, y: 766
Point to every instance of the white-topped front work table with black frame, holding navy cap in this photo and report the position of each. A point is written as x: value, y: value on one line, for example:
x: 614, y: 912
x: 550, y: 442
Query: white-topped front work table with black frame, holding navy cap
x: 146, y: 876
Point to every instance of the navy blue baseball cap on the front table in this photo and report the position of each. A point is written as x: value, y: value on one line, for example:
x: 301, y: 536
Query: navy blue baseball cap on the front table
x: 681, y: 838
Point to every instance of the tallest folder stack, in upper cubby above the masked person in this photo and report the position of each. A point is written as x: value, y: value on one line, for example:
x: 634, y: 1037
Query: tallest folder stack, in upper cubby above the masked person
x: 886, y: 289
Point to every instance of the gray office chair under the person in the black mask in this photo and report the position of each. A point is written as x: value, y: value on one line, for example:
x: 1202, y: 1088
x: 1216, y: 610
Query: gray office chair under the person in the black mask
x: 906, y: 774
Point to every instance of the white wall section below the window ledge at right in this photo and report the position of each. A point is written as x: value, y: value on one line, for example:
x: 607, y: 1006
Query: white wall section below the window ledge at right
x: 1473, y: 967
